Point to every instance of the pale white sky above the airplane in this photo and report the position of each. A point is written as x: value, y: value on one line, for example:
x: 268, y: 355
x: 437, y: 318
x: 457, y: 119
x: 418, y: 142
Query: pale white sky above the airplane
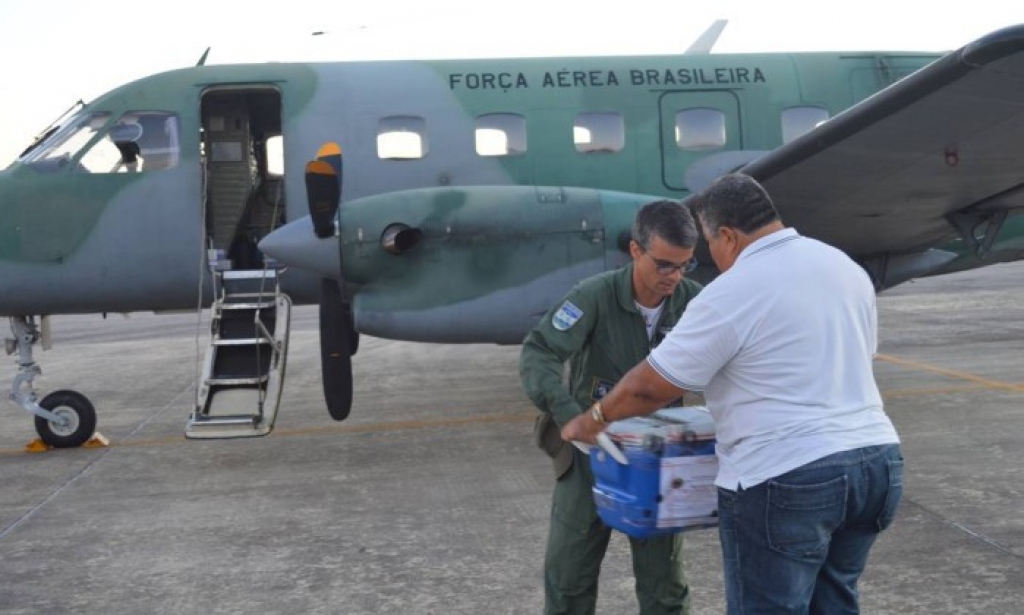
x: 56, y: 53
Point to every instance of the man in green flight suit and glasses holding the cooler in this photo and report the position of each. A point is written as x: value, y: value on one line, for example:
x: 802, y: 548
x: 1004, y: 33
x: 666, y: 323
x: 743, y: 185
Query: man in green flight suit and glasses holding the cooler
x: 605, y: 327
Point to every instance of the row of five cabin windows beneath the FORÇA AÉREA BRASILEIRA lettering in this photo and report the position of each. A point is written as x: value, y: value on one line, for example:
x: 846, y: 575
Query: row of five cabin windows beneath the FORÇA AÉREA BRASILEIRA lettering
x: 699, y: 129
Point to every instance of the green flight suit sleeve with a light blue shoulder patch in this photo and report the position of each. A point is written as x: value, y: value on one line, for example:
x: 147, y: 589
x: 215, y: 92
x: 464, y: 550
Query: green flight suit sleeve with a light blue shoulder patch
x: 545, y: 353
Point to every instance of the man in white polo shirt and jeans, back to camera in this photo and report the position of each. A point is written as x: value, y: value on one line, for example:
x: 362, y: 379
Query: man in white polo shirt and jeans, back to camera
x: 782, y: 344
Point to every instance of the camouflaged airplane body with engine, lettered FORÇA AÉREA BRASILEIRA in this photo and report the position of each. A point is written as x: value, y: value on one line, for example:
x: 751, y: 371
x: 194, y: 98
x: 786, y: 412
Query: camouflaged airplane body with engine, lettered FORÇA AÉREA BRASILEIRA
x: 502, y: 236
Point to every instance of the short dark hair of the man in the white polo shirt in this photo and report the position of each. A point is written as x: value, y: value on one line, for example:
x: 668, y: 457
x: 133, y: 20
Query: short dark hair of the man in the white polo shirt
x: 736, y: 201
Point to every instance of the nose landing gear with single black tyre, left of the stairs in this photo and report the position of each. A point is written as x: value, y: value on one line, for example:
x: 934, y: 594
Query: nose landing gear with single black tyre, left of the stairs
x: 64, y: 419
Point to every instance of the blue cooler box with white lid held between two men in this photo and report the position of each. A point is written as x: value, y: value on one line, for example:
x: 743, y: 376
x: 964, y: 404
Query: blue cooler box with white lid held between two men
x: 668, y: 486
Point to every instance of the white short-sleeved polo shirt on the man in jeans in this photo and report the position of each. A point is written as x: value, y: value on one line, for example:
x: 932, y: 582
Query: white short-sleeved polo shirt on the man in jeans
x: 782, y: 345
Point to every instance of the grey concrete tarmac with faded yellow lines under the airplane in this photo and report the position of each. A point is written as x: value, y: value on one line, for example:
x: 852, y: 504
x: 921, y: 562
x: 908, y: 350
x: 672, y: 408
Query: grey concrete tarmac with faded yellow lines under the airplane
x: 432, y: 500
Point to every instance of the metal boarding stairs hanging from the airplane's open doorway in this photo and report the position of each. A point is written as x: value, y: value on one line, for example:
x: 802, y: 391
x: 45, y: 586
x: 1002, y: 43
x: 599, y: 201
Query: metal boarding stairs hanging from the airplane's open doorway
x: 244, y: 371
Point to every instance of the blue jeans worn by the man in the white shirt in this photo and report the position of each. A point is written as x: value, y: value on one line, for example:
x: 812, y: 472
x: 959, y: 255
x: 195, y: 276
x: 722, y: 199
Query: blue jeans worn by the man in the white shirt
x: 798, y: 543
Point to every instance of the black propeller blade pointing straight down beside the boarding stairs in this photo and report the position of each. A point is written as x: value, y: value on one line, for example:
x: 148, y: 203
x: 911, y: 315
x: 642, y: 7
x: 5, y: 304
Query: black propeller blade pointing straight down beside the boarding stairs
x: 336, y: 350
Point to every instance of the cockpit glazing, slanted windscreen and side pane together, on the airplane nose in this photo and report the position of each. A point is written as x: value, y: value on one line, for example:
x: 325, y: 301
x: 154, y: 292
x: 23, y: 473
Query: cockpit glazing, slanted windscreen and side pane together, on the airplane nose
x: 139, y: 142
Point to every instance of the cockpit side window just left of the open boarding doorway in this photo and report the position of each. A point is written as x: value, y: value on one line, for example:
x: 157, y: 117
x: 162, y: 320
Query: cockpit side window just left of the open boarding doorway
x: 139, y: 142
